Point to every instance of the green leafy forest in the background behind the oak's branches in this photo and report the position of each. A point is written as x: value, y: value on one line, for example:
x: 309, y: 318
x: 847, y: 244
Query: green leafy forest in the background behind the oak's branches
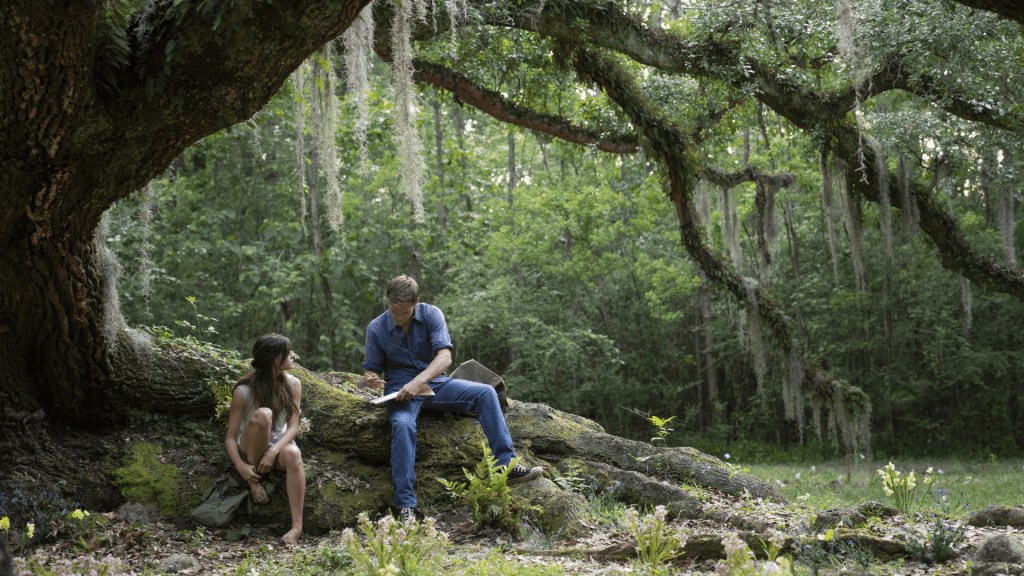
x: 561, y: 267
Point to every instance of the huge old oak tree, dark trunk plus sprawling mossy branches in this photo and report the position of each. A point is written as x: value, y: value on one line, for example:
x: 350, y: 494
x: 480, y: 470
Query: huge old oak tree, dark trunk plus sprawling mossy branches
x: 98, y: 99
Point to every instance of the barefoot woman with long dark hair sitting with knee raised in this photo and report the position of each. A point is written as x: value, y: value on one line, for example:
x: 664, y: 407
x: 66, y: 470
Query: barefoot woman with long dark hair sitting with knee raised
x: 264, y: 424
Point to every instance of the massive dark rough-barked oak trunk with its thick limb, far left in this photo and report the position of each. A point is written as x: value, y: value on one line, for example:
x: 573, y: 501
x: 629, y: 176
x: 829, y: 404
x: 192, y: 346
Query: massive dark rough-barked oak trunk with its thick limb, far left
x: 80, y: 130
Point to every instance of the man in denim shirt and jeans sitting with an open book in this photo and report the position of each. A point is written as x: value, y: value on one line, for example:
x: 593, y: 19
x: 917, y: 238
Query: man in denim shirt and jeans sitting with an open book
x: 410, y: 344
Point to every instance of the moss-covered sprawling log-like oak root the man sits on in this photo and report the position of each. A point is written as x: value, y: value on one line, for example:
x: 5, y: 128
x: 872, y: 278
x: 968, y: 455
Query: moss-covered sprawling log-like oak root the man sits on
x: 348, y: 455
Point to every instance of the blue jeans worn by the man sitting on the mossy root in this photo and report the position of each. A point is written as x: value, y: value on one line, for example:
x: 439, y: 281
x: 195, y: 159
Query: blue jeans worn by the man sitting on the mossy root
x: 453, y: 396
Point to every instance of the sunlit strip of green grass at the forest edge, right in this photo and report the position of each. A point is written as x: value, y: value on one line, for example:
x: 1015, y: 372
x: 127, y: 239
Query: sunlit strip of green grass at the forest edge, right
x: 968, y: 486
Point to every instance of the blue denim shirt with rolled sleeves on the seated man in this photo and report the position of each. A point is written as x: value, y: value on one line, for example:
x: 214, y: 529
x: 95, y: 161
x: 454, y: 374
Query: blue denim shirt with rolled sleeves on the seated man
x: 400, y: 357
